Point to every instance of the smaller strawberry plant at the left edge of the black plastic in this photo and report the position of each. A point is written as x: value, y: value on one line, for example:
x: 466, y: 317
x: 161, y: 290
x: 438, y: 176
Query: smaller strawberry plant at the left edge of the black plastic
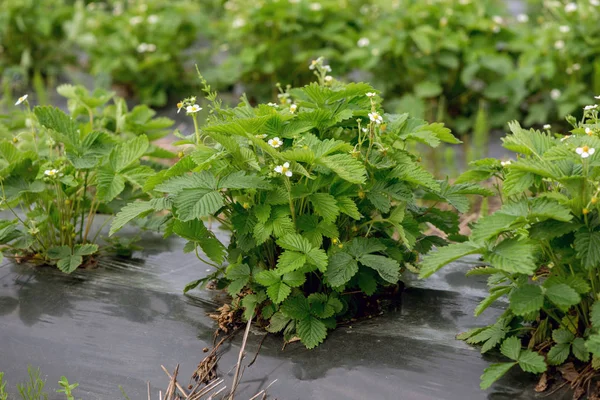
x: 57, y: 171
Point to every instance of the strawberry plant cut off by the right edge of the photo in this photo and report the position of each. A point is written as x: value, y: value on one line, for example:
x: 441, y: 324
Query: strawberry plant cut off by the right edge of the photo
x: 540, y: 249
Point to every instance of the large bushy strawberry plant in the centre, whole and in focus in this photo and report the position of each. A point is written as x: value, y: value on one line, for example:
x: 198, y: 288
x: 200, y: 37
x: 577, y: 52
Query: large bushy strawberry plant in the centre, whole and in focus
x: 324, y: 203
